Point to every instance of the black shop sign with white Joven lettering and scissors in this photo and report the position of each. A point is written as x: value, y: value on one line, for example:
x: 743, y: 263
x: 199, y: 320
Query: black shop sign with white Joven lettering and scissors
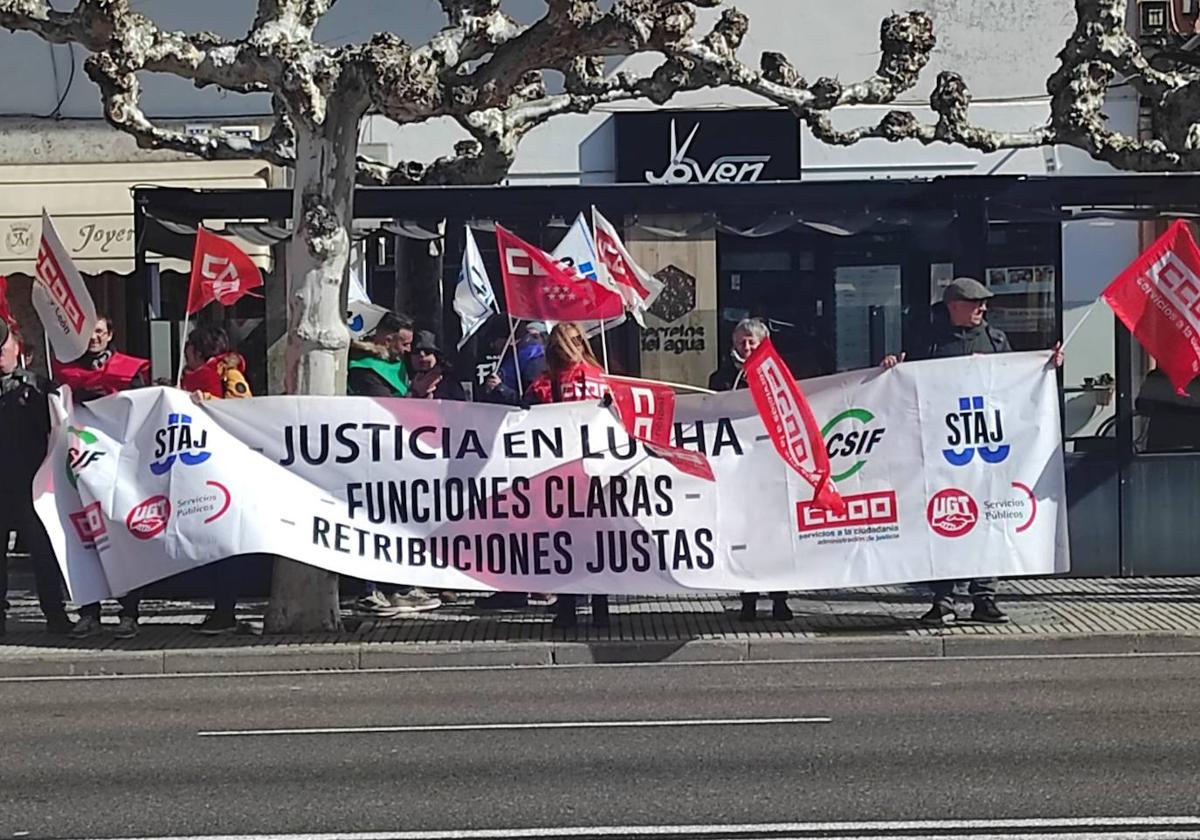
x: 703, y: 147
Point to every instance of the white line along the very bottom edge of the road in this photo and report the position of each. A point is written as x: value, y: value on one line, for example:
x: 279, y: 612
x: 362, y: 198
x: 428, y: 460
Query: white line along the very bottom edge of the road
x: 1115, y: 829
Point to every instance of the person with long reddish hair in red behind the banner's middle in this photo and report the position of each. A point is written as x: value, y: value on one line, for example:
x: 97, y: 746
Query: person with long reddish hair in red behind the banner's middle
x: 573, y: 374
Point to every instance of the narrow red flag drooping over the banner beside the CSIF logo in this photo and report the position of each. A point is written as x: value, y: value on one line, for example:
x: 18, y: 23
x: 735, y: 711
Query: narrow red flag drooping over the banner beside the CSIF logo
x: 790, y: 422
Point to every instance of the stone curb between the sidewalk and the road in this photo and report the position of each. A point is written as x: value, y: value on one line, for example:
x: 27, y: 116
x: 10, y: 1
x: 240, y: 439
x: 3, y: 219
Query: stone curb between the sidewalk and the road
x: 399, y: 656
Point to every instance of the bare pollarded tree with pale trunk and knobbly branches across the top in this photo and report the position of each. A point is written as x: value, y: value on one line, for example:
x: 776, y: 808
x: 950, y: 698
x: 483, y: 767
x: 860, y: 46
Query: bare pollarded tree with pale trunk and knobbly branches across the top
x: 488, y: 73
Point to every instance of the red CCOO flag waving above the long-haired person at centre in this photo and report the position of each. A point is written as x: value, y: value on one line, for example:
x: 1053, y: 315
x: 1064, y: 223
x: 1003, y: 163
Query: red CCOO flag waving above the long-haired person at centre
x: 541, y: 289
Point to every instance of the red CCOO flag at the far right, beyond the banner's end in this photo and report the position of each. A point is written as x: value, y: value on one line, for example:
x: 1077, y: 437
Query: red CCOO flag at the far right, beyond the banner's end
x: 1159, y: 299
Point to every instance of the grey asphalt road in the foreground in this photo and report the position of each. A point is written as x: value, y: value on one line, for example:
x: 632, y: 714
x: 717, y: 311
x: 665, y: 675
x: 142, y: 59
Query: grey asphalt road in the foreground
x: 777, y: 746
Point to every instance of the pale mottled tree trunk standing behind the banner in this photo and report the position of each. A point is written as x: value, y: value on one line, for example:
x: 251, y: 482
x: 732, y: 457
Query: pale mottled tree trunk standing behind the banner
x: 304, y: 599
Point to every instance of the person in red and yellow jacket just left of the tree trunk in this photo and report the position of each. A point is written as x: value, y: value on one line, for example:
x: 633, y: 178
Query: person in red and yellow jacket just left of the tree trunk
x: 215, y: 371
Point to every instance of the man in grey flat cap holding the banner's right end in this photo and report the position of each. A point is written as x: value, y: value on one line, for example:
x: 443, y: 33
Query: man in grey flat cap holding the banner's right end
x: 961, y: 328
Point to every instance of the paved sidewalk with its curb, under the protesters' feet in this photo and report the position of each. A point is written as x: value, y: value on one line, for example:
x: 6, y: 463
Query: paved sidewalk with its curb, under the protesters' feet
x: 1051, y: 616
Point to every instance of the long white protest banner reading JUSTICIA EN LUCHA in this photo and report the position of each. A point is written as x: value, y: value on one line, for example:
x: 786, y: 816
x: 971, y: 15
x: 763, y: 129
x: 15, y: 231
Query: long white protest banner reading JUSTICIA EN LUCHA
x: 951, y: 470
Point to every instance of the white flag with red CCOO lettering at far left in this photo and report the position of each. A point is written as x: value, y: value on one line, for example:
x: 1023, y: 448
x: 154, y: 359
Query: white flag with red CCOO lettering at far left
x: 61, y: 297
